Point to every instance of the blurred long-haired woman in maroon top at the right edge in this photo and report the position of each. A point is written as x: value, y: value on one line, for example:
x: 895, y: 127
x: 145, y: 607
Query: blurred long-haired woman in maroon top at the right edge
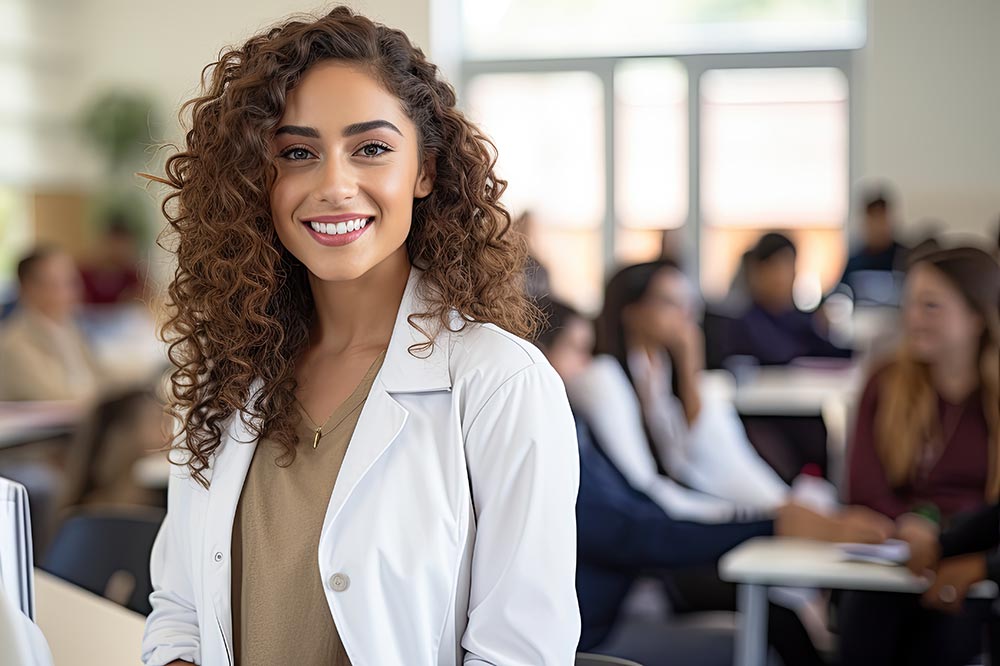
x: 927, y: 440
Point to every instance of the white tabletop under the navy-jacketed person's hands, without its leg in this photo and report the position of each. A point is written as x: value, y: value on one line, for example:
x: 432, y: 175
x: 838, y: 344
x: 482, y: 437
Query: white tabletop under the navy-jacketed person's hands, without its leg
x: 788, y: 562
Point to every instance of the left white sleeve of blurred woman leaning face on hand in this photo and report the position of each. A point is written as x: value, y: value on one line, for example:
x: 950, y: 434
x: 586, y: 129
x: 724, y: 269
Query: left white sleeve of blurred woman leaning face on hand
x: 607, y: 400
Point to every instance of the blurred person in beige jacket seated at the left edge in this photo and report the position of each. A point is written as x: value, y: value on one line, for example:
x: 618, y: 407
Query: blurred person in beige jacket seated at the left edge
x: 43, y: 354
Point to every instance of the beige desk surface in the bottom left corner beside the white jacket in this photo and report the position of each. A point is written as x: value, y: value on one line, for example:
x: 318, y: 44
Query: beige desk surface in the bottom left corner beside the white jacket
x: 83, y: 629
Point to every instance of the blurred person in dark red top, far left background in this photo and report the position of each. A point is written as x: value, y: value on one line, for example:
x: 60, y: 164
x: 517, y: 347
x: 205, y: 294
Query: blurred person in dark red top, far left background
x: 113, y: 276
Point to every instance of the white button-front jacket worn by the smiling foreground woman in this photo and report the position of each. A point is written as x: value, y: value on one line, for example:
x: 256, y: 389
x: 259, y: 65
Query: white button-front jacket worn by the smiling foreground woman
x: 450, y: 536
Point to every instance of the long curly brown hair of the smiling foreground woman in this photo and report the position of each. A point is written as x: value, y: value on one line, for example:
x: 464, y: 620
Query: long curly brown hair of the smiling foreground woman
x: 240, y: 305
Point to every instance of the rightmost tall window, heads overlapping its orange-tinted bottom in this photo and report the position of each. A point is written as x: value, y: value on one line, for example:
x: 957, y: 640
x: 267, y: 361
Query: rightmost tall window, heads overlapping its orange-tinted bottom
x: 774, y: 157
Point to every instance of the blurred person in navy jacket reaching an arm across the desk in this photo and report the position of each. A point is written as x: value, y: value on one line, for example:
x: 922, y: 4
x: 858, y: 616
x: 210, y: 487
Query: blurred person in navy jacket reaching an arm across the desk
x: 624, y: 535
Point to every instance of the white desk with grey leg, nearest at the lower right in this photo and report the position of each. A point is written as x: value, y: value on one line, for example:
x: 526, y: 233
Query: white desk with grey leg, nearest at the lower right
x: 769, y: 561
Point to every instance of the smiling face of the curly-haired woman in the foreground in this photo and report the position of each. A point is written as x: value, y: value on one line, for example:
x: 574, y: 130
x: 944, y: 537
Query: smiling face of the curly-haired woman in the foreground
x: 348, y: 169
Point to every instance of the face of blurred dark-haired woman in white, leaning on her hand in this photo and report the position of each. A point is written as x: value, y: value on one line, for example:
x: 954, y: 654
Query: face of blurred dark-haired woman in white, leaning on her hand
x: 664, y: 311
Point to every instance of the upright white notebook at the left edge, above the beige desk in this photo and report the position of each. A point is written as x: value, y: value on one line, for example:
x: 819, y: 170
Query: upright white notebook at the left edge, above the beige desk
x: 16, y: 566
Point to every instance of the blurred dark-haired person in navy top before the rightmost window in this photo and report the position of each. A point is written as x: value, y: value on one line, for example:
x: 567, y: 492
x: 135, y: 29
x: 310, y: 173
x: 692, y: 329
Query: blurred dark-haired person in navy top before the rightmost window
x: 772, y: 330
